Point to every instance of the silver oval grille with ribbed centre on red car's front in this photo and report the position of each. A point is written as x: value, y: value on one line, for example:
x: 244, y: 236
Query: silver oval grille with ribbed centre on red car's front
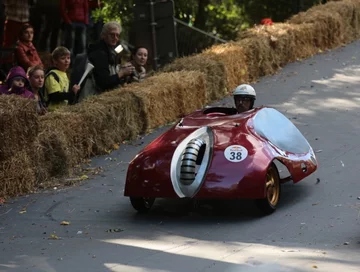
x: 190, y: 162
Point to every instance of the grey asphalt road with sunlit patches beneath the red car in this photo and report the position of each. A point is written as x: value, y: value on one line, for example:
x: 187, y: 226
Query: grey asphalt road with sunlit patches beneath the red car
x: 316, y: 227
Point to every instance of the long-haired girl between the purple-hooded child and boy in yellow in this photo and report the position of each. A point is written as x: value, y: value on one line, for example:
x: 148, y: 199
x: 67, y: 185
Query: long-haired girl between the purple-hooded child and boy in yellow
x: 36, y: 76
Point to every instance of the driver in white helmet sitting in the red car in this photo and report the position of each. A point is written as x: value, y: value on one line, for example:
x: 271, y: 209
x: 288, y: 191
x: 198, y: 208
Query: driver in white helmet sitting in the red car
x: 244, y: 97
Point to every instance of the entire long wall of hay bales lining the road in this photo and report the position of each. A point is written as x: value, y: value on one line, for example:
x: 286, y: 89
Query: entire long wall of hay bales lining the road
x: 34, y: 149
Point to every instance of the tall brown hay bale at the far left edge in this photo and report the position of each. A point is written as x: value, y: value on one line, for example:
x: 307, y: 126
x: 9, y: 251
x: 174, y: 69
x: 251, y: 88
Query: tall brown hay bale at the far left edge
x: 19, y: 126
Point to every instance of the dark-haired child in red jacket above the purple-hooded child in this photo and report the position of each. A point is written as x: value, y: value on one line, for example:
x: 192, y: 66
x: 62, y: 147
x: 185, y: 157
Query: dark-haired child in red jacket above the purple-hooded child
x: 25, y: 52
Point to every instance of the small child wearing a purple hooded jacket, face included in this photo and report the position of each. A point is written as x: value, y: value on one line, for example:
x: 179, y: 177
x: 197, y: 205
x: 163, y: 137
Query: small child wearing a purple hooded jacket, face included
x: 17, y: 83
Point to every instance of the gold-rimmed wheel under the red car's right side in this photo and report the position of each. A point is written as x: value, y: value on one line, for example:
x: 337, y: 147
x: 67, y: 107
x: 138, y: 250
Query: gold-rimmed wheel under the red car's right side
x: 268, y: 204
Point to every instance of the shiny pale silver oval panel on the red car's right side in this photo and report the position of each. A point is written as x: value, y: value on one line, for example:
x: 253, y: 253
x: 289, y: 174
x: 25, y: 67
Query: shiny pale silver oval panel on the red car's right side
x: 280, y: 131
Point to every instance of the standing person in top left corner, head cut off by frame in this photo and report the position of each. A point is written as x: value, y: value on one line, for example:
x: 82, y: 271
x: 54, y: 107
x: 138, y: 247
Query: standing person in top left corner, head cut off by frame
x: 17, y: 14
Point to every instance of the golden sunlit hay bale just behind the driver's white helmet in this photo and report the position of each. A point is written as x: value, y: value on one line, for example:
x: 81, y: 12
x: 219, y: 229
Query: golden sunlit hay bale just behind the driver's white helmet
x: 233, y: 58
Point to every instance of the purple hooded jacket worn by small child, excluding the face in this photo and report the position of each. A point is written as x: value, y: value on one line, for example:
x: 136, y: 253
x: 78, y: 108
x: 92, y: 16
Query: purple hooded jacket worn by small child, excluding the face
x: 24, y: 91
